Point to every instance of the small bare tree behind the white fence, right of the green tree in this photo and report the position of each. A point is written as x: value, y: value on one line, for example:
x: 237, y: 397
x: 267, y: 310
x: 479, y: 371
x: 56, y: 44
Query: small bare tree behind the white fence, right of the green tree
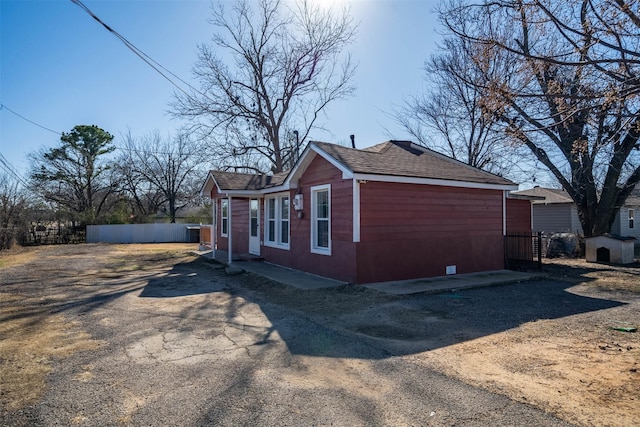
x: 166, y: 170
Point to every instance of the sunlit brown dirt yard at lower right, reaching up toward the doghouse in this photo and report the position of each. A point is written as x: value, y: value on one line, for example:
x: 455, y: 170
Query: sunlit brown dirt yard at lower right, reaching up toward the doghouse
x: 578, y: 367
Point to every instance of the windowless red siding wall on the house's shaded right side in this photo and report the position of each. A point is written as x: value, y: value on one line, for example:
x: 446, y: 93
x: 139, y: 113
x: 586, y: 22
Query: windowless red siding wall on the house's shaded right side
x: 411, y: 231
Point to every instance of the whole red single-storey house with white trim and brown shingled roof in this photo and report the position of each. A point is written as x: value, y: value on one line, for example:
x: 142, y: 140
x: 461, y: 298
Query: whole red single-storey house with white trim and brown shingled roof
x: 393, y: 211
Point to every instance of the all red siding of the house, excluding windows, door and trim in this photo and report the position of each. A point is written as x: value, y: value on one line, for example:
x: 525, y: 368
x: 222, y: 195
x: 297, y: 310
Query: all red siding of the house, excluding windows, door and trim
x: 407, y: 230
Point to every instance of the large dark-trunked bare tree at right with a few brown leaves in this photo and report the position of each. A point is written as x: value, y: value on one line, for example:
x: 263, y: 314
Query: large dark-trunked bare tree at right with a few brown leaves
x: 562, y: 79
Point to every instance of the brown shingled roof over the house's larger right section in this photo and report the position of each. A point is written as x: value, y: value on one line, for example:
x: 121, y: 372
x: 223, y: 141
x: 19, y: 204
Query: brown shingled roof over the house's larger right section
x: 403, y: 158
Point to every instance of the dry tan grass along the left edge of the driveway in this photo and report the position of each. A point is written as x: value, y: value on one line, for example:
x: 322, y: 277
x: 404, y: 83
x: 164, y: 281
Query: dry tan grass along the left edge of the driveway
x: 31, y: 337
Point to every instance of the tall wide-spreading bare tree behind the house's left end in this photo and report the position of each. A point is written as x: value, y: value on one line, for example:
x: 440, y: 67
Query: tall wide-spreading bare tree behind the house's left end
x: 270, y: 70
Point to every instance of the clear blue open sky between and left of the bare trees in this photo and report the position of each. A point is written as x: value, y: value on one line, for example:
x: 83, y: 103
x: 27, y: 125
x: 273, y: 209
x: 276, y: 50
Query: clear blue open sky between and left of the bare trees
x: 60, y: 68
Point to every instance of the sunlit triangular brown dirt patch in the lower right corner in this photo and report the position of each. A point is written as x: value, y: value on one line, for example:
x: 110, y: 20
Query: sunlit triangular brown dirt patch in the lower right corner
x: 585, y: 378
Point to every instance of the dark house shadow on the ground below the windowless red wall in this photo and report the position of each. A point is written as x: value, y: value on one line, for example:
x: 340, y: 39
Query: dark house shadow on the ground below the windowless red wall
x: 417, y: 323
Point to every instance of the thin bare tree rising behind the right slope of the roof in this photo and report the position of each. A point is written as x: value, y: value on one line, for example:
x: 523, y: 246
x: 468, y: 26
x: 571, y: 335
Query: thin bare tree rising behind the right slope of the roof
x: 448, y: 116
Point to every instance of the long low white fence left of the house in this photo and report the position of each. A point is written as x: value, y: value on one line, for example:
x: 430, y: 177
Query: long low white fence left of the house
x: 138, y: 233
